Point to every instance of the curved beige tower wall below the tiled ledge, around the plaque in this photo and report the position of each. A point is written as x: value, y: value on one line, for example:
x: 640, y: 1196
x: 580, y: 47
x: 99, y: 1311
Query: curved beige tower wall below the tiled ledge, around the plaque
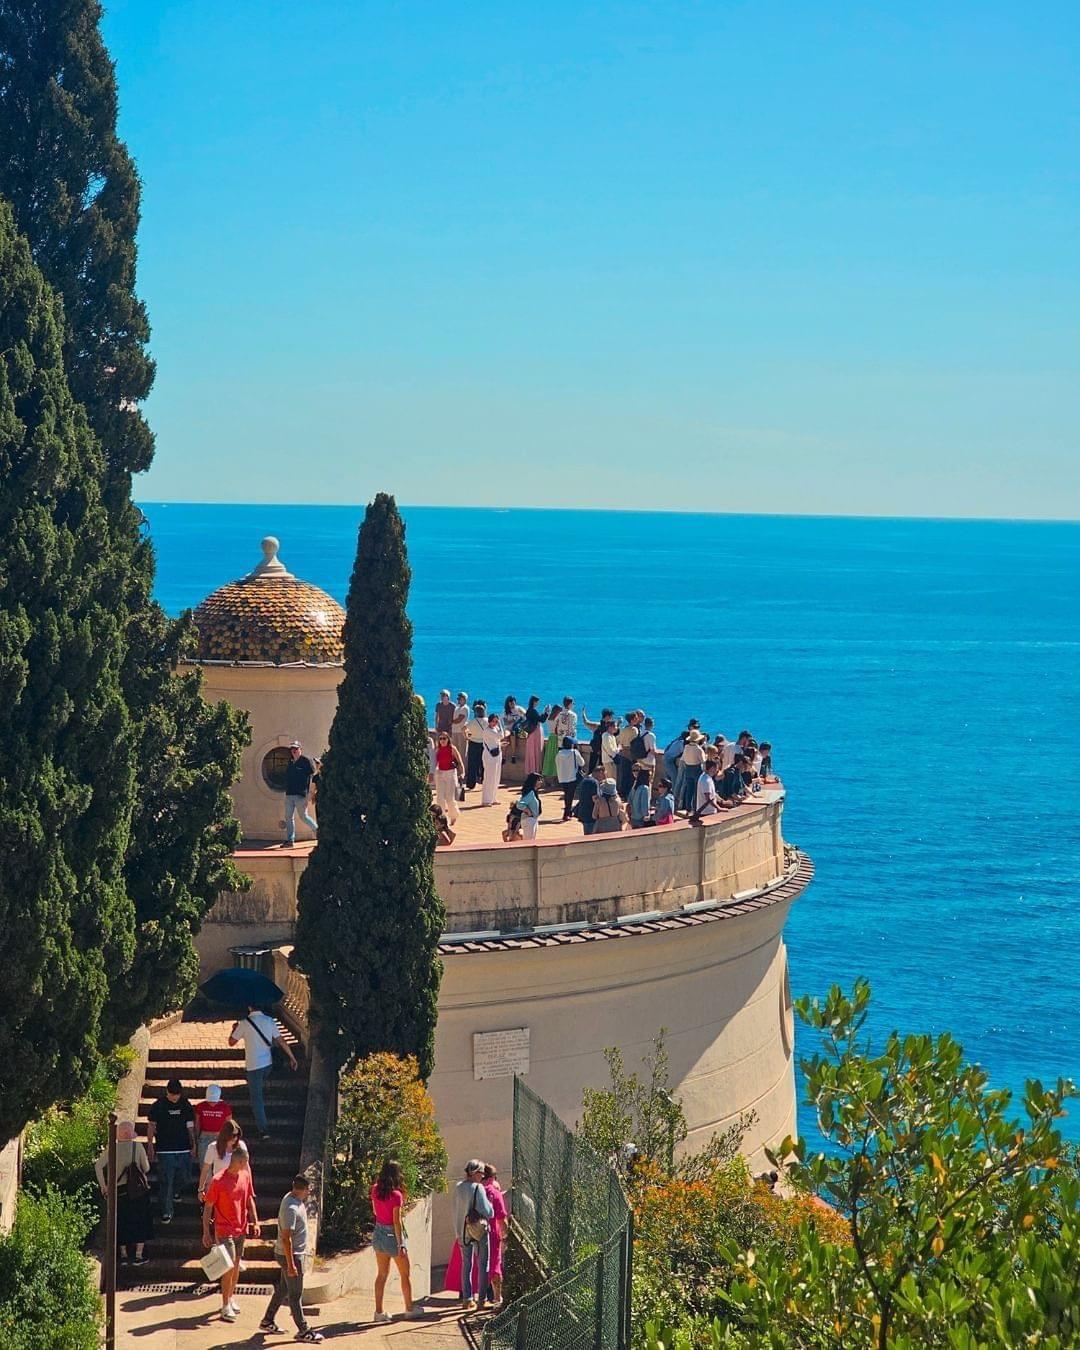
x: 718, y: 988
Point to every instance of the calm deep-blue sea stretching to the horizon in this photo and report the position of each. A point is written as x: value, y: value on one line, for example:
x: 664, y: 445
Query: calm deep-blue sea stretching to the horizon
x: 919, y: 681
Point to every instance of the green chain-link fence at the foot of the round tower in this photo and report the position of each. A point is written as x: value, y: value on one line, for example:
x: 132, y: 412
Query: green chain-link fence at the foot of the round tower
x: 572, y: 1214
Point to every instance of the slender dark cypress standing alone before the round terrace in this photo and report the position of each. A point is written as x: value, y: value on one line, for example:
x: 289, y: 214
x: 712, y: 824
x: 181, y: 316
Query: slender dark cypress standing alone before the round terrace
x: 371, y: 919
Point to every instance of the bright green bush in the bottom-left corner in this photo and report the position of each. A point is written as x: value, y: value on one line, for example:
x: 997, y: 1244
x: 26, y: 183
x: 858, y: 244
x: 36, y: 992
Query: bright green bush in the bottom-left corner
x: 48, y: 1297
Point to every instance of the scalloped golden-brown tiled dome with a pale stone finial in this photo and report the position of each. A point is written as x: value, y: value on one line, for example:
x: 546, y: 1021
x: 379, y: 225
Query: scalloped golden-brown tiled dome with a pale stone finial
x: 271, y: 616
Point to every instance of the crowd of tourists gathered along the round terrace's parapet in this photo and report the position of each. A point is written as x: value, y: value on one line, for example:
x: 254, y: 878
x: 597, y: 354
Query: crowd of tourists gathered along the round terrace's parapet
x: 616, y: 780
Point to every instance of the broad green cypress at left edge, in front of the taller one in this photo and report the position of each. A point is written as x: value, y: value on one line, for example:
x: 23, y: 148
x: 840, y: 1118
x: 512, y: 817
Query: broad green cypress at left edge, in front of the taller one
x: 67, y: 781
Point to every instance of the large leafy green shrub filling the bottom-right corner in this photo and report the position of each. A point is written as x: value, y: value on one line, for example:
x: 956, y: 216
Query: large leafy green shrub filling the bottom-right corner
x: 963, y: 1226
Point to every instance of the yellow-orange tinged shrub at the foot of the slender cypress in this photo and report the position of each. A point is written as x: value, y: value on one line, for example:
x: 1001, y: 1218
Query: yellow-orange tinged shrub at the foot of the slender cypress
x: 384, y: 1113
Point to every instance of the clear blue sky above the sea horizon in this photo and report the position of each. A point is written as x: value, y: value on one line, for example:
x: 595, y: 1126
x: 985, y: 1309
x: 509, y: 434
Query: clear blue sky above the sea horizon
x: 801, y: 257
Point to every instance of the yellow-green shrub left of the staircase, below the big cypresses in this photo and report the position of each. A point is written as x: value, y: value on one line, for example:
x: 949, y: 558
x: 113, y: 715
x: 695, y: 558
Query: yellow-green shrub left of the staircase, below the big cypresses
x: 61, y: 1148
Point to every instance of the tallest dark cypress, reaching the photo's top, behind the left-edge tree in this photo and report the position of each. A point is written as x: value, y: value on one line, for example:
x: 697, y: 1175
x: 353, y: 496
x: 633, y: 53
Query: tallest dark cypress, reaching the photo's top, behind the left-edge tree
x: 75, y: 194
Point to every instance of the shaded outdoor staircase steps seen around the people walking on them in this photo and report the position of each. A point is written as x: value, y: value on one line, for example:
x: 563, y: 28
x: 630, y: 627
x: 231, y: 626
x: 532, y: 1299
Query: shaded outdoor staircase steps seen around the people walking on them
x: 198, y: 1052
